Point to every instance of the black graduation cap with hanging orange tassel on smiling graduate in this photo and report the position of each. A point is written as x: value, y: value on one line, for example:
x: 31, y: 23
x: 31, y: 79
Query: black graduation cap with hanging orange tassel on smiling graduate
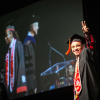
x: 74, y: 38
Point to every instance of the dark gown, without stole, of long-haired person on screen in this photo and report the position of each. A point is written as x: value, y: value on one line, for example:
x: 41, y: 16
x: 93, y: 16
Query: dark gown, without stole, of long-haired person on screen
x: 19, y: 72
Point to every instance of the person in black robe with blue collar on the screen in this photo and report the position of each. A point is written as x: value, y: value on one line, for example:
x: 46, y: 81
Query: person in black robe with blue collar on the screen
x: 29, y: 54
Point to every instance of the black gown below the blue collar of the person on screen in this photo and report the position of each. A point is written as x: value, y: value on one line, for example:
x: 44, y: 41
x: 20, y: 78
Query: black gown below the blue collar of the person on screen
x: 29, y: 54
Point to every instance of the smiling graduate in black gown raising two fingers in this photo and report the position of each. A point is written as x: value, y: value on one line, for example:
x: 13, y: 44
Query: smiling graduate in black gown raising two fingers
x: 86, y: 79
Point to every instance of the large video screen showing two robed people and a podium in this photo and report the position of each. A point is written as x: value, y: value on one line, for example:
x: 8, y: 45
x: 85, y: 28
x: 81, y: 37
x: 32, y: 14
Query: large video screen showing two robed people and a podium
x: 33, y: 45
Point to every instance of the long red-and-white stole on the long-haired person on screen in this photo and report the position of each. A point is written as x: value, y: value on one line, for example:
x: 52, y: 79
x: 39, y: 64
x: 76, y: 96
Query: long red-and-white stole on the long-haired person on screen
x: 10, y: 69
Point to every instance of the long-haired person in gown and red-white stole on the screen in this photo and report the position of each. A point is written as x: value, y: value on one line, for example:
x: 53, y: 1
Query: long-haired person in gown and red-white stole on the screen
x: 15, y: 79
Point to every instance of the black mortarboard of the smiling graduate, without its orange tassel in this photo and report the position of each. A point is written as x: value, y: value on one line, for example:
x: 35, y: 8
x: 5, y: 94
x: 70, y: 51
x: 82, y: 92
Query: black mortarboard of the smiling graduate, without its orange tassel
x: 77, y: 37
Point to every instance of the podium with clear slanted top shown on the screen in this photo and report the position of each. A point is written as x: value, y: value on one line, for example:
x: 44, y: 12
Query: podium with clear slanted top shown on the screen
x: 53, y: 77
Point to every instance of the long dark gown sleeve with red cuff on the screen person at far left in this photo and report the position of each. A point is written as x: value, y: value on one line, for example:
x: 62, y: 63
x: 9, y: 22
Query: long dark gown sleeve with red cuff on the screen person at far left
x: 20, y: 69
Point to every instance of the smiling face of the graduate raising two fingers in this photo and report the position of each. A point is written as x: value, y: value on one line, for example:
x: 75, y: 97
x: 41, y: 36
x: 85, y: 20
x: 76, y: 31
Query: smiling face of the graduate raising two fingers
x: 76, y: 47
